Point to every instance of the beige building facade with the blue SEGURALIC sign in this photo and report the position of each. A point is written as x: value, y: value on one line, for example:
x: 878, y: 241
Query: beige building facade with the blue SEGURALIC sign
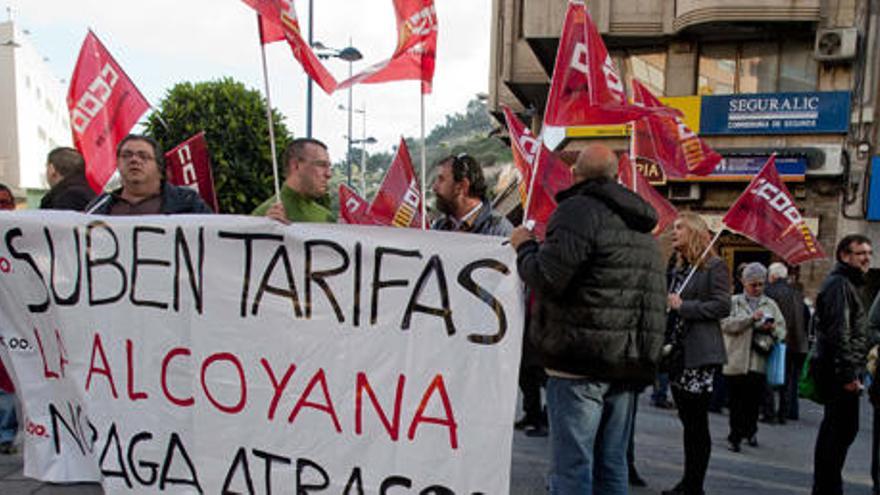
x: 795, y: 77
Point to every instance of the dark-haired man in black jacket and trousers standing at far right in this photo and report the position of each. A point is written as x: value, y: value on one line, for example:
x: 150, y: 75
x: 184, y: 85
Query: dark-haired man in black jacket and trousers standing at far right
x: 839, y: 361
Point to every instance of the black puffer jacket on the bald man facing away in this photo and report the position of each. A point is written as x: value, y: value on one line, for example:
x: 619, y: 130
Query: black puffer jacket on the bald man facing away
x: 600, y: 285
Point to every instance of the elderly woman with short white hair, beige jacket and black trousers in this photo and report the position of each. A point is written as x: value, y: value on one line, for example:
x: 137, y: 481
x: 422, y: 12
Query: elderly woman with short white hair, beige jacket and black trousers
x: 755, y: 324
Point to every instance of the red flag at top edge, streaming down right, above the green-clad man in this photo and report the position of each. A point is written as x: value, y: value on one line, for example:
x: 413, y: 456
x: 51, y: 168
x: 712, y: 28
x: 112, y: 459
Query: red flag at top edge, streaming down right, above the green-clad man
x: 282, y: 13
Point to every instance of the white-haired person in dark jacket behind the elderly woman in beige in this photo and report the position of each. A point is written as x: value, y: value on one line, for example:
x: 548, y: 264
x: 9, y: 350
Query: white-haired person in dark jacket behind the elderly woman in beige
x: 791, y: 304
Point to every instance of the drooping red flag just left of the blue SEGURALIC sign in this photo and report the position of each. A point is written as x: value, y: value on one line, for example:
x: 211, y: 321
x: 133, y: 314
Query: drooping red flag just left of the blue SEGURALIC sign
x: 666, y: 140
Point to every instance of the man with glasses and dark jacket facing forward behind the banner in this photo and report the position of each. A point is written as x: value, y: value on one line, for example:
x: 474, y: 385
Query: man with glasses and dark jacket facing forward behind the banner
x: 144, y: 191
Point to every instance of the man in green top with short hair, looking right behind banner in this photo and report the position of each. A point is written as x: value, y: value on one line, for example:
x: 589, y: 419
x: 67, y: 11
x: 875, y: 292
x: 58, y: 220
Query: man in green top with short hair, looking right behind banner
x: 304, y: 194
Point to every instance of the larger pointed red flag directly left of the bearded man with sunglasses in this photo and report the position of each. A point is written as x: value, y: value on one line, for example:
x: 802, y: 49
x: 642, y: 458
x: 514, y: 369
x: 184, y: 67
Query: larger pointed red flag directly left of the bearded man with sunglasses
x: 399, y: 199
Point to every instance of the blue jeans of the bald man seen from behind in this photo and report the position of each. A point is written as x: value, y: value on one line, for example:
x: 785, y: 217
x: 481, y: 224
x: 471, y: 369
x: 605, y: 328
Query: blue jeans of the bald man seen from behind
x: 590, y: 424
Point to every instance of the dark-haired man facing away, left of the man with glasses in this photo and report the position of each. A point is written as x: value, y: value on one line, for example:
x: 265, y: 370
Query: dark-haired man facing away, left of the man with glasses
x: 66, y: 175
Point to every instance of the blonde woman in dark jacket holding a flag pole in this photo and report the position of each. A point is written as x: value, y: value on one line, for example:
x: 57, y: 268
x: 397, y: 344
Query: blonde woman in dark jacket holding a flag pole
x: 694, y: 335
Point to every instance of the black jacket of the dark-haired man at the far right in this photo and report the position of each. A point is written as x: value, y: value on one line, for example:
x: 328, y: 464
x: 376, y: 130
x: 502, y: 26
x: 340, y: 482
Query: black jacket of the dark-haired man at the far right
x: 841, y: 343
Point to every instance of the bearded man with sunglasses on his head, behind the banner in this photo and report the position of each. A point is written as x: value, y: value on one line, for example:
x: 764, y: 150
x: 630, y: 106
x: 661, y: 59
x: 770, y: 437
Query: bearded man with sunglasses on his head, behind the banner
x: 460, y: 191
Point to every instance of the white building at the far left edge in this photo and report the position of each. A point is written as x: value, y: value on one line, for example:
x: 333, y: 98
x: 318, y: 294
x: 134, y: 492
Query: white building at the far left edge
x: 33, y: 115
